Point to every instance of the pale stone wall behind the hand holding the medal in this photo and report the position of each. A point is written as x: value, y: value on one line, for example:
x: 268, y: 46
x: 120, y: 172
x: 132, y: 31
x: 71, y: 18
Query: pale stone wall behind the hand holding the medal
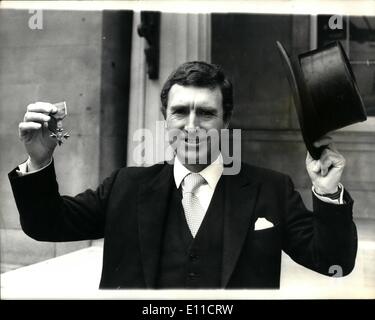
x: 60, y: 62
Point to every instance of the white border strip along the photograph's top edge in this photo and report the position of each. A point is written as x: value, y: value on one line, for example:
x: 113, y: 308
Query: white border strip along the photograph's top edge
x: 351, y: 7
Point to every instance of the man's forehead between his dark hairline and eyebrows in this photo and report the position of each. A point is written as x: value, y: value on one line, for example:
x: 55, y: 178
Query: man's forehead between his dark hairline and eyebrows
x: 186, y: 95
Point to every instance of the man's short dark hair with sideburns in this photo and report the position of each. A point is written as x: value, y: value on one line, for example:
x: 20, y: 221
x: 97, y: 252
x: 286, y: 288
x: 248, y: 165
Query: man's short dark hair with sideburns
x: 200, y: 74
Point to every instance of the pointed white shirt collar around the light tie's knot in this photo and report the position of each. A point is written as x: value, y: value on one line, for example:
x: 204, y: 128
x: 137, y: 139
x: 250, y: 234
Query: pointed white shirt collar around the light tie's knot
x: 211, y: 173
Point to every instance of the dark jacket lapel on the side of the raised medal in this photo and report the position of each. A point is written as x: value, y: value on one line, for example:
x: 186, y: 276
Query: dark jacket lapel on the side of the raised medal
x: 152, y: 206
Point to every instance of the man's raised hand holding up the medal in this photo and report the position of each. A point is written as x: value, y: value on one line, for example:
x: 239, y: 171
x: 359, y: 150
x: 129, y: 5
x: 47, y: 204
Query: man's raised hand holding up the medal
x: 34, y: 133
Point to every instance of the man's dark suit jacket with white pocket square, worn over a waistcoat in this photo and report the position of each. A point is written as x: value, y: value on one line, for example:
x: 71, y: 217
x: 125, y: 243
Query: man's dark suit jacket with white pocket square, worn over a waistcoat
x: 128, y: 209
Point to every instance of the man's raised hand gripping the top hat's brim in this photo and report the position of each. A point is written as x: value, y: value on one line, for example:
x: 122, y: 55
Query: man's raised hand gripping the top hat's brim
x: 325, y: 173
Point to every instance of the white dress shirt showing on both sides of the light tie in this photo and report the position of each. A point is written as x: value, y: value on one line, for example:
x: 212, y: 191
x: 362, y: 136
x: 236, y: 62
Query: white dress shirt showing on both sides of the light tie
x: 211, y: 174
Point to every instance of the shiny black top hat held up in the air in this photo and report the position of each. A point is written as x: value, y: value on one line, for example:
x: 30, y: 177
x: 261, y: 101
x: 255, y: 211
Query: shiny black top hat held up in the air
x: 325, y: 93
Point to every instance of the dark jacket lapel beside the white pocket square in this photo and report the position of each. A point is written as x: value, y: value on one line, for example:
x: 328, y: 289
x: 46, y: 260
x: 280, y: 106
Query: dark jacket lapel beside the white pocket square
x: 240, y: 198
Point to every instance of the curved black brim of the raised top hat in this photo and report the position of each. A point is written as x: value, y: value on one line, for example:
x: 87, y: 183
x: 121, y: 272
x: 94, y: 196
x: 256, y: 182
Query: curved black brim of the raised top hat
x: 307, y: 116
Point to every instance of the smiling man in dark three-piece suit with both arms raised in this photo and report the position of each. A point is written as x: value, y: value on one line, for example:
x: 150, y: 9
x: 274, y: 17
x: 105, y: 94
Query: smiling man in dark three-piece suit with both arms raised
x: 188, y: 225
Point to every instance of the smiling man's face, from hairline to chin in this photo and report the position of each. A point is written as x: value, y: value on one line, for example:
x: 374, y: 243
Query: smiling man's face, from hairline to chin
x: 191, y: 113
